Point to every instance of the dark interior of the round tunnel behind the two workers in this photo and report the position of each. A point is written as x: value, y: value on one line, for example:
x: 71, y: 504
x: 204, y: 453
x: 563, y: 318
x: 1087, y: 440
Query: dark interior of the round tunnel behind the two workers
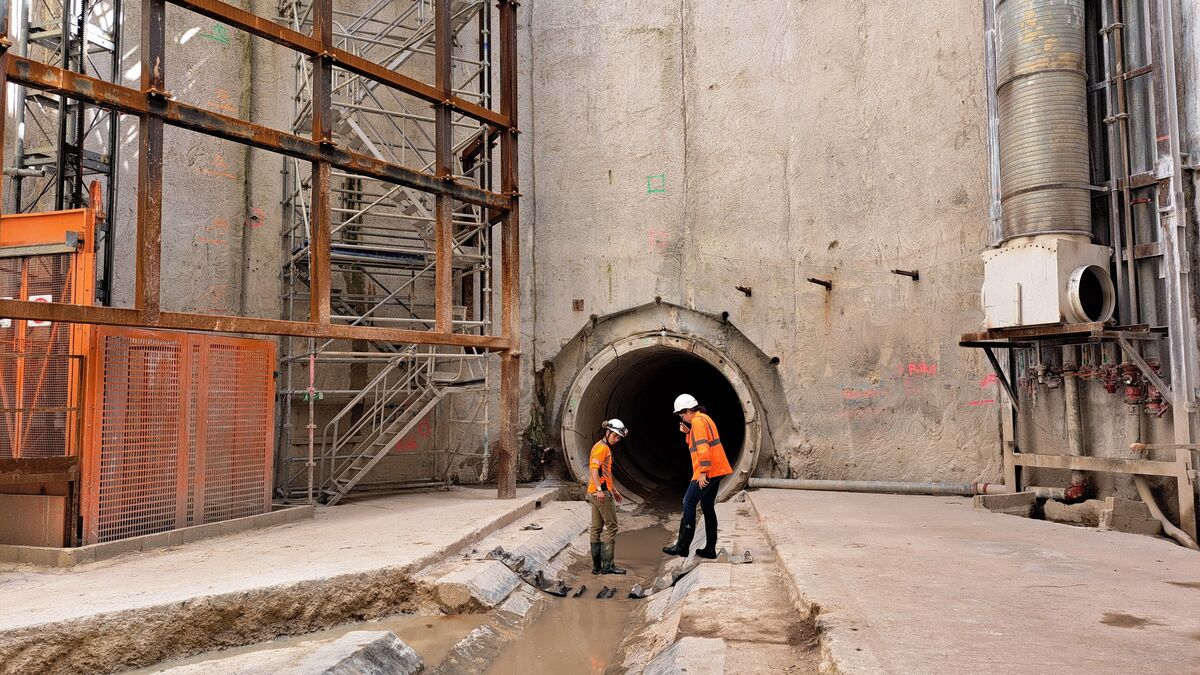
x: 640, y: 389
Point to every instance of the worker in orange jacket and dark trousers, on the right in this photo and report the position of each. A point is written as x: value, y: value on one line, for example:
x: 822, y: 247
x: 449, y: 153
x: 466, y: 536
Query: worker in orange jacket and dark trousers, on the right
x: 709, y: 465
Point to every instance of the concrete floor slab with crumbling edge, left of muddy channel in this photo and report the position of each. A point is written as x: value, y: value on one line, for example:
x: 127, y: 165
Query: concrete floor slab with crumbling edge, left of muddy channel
x: 355, y: 561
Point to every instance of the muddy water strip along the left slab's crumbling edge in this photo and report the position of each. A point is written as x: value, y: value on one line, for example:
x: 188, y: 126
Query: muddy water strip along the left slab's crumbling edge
x: 433, y: 637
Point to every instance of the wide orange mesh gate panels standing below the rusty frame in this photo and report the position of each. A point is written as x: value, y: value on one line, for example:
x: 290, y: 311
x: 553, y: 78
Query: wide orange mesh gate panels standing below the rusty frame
x: 182, y: 435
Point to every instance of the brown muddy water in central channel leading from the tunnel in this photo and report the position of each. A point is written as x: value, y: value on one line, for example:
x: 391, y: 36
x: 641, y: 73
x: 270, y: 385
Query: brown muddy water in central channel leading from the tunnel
x: 583, y: 635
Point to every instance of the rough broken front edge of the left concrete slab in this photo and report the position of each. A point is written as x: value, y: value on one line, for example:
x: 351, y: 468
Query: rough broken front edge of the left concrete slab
x: 151, y: 635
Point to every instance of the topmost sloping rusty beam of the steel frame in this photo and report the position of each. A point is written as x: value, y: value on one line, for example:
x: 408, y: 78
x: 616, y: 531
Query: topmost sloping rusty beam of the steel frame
x: 313, y: 46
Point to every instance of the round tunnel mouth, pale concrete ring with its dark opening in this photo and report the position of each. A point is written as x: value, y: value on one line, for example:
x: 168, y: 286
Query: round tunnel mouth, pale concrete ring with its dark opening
x: 637, y: 380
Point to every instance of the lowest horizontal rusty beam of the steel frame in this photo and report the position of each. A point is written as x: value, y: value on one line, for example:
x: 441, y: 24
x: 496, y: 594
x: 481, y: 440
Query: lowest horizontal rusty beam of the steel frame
x: 250, y: 326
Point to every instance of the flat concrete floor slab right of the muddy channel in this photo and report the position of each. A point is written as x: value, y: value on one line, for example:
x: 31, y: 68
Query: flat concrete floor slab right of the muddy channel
x: 931, y: 586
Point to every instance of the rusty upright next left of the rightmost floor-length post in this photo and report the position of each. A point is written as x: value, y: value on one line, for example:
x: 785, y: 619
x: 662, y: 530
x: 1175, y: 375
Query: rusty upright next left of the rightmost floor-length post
x: 443, y: 141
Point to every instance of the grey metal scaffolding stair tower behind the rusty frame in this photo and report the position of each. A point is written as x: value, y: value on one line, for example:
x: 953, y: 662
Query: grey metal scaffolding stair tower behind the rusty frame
x: 383, y: 247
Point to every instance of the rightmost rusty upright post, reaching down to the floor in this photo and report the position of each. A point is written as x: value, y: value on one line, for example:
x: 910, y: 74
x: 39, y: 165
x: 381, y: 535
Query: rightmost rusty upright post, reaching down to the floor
x: 511, y: 260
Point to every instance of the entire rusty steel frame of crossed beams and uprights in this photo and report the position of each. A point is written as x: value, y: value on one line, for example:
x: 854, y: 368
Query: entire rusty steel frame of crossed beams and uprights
x: 155, y: 109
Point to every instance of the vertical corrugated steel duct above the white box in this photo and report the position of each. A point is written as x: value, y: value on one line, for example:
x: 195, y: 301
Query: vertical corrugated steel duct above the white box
x: 1042, y: 95
